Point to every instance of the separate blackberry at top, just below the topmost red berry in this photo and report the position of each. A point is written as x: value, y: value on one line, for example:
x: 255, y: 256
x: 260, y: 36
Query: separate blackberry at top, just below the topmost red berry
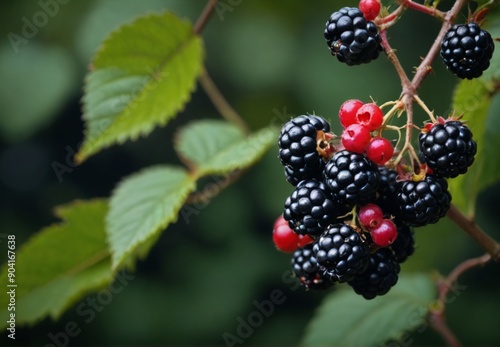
x: 351, y: 38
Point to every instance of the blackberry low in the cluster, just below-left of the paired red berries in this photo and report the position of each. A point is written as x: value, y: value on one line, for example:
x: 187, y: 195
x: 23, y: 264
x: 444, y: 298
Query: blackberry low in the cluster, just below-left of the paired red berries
x: 341, y: 252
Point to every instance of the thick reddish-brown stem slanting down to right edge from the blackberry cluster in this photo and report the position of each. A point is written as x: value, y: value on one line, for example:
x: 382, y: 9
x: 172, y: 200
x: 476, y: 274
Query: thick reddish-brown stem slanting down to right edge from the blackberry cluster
x: 474, y: 231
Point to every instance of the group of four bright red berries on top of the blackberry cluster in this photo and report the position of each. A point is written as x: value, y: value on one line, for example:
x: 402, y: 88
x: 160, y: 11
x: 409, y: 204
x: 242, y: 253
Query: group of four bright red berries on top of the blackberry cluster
x: 359, y: 120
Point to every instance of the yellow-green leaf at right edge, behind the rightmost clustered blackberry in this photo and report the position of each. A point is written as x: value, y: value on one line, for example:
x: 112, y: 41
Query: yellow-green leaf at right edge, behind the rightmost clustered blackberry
x: 473, y: 100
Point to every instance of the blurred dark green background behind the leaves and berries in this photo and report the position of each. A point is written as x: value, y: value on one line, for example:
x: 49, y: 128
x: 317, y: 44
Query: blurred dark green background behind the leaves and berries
x: 270, y: 60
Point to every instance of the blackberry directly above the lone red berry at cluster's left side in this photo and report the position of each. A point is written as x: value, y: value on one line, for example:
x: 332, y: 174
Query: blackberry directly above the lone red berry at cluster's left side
x: 310, y: 208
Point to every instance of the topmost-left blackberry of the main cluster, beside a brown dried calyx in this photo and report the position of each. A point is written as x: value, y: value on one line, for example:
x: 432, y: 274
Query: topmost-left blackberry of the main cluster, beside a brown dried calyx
x: 297, y: 148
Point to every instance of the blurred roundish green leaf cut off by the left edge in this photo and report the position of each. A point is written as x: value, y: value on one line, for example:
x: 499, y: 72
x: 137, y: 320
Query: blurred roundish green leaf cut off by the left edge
x: 35, y: 84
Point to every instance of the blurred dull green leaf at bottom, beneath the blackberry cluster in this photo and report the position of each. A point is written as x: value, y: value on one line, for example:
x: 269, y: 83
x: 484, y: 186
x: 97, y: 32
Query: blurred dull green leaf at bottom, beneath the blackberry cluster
x: 347, y: 319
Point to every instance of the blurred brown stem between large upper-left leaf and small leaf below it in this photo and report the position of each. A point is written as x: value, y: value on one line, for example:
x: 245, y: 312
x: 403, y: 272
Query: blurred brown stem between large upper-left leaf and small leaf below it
x: 220, y: 102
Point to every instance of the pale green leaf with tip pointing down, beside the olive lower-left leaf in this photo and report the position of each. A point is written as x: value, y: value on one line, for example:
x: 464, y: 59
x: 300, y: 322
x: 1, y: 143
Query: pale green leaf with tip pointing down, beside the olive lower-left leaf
x: 142, y: 206
